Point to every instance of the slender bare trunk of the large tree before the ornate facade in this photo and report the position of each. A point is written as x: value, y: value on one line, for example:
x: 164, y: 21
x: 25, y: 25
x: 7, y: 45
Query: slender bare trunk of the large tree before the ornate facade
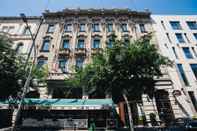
x: 129, y: 113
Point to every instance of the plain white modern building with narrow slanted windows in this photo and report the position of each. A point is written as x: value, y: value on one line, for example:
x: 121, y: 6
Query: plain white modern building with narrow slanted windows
x: 177, y: 39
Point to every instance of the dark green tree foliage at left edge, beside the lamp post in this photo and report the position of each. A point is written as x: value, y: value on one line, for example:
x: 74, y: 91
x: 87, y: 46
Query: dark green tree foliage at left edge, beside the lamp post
x: 12, y: 69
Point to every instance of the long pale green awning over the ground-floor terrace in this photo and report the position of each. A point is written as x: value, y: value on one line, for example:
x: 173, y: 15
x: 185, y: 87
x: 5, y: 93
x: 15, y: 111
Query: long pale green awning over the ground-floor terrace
x: 65, y: 104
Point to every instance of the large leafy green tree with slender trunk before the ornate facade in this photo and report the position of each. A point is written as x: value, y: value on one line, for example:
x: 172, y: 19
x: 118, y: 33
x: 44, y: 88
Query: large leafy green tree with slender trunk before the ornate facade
x: 126, y: 71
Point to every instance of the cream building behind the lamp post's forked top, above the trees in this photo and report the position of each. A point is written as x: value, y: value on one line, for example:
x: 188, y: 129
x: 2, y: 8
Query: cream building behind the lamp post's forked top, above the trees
x: 16, y: 30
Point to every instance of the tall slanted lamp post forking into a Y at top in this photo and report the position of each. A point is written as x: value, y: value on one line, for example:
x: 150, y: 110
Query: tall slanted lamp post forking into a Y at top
x: 29, y: 78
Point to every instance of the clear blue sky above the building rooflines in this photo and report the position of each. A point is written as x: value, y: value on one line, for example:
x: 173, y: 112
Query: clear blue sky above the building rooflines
x: 36, y: 7
